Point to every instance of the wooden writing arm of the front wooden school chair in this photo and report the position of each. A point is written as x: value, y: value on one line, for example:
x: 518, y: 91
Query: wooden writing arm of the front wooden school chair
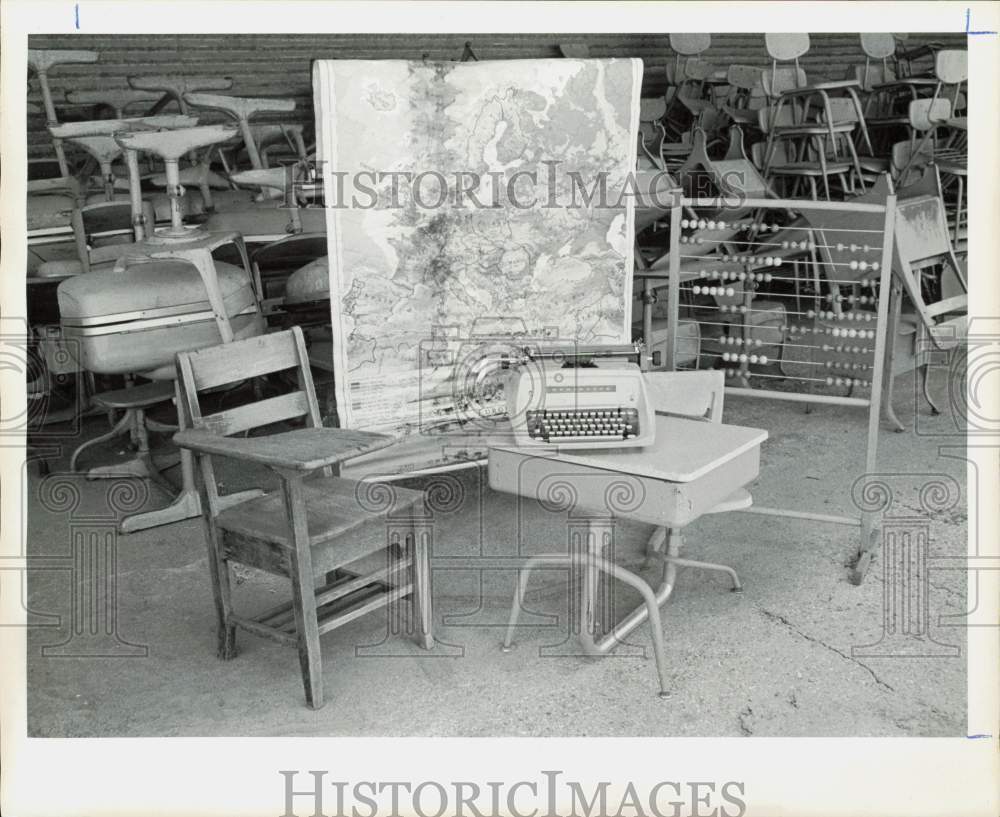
x: 306, y: 449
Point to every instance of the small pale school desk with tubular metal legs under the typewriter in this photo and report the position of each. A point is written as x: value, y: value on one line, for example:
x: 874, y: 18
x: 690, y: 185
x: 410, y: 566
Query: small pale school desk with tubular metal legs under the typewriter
x: 692, y: 468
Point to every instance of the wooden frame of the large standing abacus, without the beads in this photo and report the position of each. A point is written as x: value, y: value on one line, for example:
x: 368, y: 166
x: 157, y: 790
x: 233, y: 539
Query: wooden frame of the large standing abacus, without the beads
x: 868, y: 522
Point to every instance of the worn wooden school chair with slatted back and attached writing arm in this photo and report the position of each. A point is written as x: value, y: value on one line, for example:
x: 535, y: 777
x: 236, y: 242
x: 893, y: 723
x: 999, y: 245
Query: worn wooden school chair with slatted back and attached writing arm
x: 301, y: 531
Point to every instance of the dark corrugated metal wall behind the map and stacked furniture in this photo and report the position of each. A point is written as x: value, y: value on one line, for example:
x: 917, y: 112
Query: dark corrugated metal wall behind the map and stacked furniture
x: 279, y: 64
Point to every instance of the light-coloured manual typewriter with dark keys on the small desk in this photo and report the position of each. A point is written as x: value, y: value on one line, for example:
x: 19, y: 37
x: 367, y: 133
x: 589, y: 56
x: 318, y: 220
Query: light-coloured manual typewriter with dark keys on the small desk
x: 568, y: 406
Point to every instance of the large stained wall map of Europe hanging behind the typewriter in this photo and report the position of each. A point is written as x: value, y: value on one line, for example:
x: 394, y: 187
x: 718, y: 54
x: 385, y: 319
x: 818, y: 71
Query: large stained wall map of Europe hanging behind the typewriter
x: 463, y: 195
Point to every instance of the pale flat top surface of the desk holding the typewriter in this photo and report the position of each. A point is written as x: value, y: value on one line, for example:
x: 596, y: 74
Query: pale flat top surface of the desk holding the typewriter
x: 685, y: 449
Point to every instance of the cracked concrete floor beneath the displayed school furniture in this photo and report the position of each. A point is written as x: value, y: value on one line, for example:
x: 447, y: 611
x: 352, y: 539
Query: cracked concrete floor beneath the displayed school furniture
x: 774, y: 660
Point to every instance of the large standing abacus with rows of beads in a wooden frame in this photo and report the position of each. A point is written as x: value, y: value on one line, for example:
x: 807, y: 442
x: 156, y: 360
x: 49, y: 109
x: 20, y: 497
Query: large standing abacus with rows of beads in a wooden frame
x: 788, y: 295
